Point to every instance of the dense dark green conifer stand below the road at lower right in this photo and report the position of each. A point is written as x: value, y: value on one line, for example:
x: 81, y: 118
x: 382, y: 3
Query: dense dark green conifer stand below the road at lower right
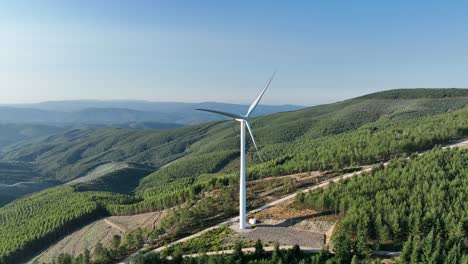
x: 421, y: 201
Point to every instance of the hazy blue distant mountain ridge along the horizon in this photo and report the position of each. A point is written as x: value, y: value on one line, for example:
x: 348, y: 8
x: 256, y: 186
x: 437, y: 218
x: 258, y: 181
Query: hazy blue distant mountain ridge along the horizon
x: 123, y: 112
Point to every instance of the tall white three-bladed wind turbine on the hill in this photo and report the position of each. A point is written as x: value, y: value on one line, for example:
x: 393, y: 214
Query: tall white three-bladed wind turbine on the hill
x: 244, y: 122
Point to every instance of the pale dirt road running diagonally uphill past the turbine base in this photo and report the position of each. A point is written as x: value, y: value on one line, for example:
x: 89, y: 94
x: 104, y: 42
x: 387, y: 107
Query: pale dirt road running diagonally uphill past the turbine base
x: 462, y: 144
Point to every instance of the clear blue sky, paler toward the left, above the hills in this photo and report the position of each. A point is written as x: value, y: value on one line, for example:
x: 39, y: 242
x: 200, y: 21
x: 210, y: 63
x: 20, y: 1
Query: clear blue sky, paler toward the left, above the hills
x: 225, y: 50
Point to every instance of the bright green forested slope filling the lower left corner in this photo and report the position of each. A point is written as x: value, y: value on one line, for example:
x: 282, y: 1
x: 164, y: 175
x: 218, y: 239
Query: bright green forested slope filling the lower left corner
x: 30, y: 224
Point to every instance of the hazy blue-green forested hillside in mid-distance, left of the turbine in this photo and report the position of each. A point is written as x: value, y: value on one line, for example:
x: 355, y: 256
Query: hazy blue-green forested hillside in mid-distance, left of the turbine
x: 74, y: 153
